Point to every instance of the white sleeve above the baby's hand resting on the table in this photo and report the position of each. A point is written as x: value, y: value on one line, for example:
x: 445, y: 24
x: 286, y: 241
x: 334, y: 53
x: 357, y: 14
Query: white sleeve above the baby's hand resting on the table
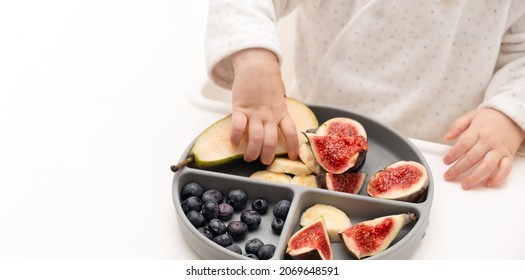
x: 506, y: 91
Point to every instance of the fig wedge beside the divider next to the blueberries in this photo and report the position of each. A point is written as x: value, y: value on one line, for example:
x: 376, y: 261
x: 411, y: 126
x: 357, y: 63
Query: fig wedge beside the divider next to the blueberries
x: 311, y: 242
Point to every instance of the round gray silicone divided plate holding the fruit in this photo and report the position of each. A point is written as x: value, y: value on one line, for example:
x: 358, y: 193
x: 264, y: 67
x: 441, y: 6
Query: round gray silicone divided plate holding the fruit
x: 385, y: 147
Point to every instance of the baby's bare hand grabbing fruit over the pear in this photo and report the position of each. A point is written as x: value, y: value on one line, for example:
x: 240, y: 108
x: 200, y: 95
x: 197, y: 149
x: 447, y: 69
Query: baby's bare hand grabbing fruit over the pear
x: 259, y: 106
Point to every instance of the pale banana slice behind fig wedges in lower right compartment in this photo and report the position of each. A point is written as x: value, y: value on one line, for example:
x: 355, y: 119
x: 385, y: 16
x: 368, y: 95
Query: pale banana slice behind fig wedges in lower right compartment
x: 335, y: 219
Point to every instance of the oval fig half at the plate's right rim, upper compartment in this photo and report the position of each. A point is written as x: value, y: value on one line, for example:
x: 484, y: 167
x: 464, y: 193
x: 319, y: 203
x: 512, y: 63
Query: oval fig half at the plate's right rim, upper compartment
x: 402, y: 180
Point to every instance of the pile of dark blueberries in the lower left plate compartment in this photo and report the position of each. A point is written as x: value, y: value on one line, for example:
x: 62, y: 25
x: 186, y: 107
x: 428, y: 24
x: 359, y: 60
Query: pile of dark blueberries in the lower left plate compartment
x: 211, y: 211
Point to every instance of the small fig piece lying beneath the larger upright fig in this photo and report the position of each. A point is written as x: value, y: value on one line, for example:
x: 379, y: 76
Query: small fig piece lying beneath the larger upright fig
x: 348, y: 182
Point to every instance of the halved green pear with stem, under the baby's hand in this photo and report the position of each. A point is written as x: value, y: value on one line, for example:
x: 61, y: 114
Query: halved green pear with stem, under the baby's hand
x: 212, y: 147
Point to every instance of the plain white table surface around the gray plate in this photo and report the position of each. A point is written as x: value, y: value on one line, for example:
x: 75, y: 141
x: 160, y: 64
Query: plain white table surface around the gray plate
x: 94, y: 110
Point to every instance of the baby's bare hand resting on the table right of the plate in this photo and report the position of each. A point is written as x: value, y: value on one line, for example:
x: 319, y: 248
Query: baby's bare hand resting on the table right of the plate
x: 487, y: 141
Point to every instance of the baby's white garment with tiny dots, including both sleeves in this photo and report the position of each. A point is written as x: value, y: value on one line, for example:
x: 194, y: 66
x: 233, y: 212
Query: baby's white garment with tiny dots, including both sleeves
x: 415, y: 65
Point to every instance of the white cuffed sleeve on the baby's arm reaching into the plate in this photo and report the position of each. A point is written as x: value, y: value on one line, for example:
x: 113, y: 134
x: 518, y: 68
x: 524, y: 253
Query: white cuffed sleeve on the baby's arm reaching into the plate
x: 235, y: 25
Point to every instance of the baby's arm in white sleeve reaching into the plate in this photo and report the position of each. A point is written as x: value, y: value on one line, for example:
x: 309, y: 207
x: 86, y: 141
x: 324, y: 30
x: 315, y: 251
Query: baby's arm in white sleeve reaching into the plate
x: 242, y: 54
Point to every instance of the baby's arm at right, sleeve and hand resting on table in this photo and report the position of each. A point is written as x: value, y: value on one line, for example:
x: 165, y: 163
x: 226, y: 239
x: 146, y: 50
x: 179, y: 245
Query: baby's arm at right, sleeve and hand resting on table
x: 489, y: 137
